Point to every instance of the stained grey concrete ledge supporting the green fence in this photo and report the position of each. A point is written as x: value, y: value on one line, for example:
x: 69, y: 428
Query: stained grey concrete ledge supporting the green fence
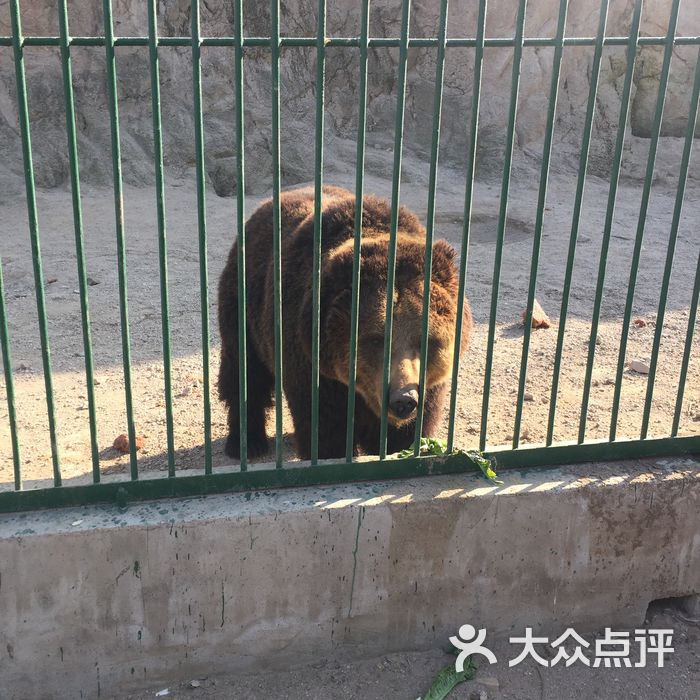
x: 94, y: 600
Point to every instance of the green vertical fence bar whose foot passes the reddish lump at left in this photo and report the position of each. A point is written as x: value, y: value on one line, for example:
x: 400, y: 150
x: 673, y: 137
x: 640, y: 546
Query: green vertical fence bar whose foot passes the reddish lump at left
x: 119, y: 223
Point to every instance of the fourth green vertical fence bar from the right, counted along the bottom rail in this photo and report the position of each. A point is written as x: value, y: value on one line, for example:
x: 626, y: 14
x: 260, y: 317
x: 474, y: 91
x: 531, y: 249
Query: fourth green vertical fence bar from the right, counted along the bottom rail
x: 612, y: 195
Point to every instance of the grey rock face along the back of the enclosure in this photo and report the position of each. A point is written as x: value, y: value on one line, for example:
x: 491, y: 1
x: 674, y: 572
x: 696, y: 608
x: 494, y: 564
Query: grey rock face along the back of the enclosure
x: 298, y: 93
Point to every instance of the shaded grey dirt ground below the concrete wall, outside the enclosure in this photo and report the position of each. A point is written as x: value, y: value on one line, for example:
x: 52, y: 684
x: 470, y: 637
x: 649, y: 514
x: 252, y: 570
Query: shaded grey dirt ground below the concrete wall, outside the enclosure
x: 407, y: 676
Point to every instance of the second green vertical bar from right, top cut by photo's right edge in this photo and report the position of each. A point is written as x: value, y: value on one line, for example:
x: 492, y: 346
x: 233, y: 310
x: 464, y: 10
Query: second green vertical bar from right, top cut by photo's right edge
x: 670, y: 252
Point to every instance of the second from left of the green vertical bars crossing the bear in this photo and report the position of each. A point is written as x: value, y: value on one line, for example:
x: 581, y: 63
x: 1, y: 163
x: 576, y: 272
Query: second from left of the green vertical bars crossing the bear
x: 276, y: 225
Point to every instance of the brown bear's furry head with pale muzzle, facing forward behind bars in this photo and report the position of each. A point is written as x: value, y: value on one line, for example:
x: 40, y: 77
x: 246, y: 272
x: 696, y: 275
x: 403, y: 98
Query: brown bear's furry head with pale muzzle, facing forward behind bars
x: 336, y: 304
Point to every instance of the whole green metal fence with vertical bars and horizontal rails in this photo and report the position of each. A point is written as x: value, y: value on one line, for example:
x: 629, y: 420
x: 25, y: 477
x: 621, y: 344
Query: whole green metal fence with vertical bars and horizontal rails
x: 280, y: 474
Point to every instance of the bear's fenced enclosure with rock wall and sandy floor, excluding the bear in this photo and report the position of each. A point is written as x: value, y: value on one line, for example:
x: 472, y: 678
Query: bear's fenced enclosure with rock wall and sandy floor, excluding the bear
x: 597, y: 219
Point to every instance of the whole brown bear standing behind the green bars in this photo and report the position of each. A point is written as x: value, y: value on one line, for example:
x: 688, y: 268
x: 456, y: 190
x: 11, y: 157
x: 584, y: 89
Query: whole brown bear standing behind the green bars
x: 297, y: 224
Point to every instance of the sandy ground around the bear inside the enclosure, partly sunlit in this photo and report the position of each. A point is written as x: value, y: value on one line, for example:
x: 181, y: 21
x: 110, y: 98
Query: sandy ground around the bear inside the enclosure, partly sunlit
x: 60, y: 275
